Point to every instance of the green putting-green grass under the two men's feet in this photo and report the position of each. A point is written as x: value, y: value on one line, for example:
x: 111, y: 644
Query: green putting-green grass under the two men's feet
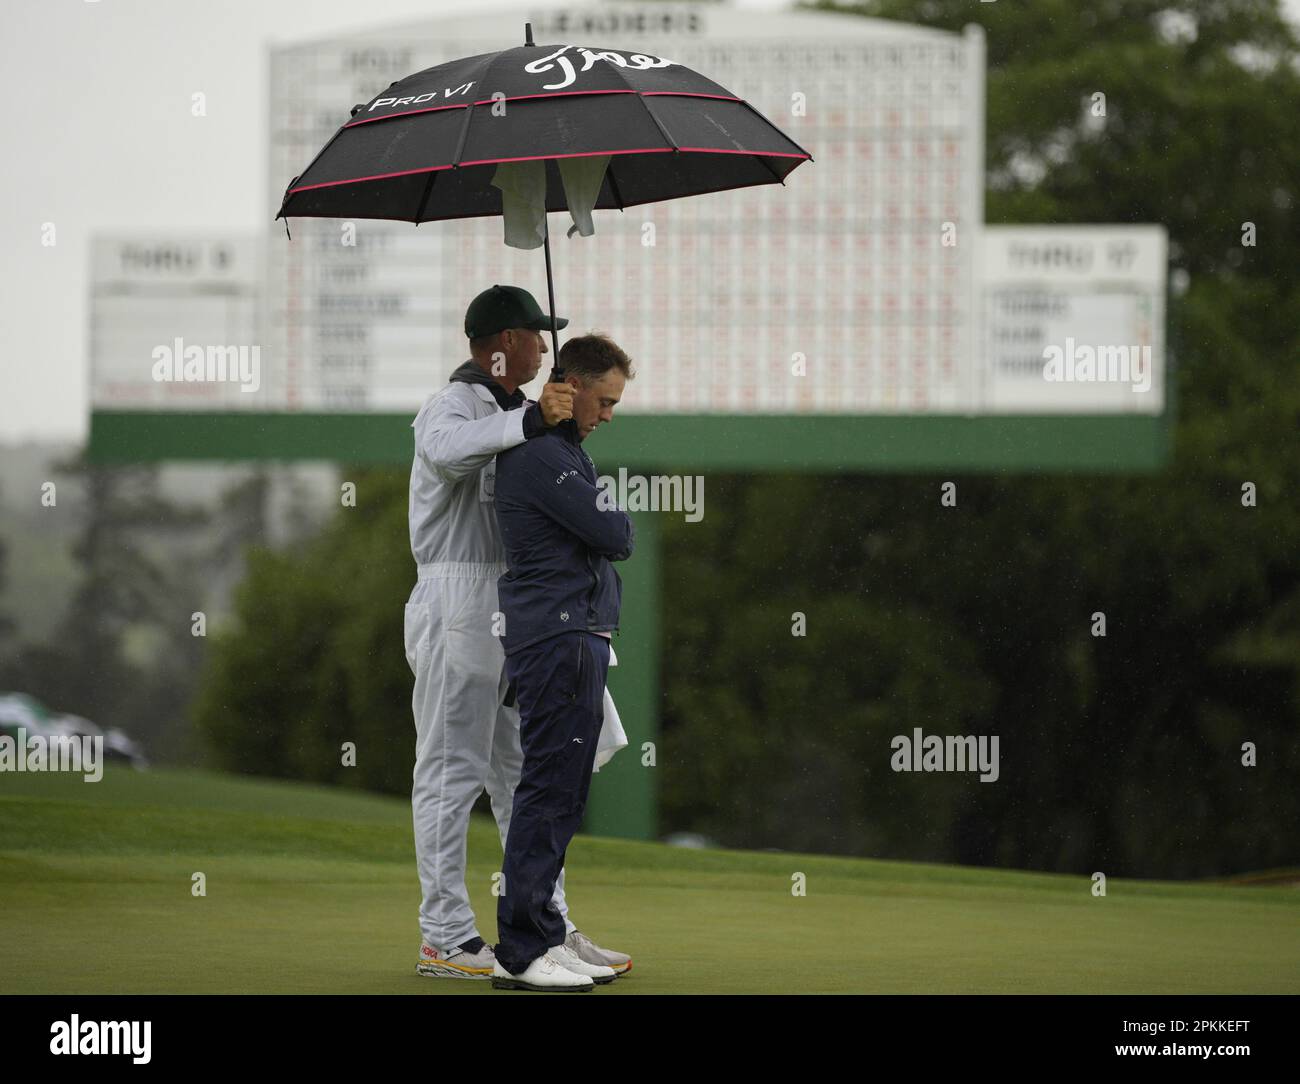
x: 314, y: 890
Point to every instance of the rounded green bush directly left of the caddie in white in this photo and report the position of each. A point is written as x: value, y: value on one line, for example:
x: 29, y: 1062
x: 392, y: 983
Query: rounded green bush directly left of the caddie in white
x: 315, y: 658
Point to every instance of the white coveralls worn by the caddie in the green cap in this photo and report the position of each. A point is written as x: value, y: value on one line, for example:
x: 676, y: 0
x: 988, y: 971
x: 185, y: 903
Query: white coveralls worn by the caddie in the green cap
x: 466, y: 738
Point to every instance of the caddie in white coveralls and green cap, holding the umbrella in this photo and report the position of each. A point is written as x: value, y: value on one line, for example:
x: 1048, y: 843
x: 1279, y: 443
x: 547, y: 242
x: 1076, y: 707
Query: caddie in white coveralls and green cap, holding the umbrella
x: 467, y: 735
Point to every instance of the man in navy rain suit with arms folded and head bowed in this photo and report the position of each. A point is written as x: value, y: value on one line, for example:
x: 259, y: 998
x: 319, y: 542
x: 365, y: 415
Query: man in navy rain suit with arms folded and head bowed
x: 561, y: 601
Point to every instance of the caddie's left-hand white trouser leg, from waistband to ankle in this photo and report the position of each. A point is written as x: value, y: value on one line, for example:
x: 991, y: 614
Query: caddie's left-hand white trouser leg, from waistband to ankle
x: 454, y: 704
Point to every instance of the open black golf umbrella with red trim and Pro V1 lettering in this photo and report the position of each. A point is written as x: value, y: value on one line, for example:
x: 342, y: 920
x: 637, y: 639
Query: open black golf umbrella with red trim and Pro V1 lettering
x: 428, y: 148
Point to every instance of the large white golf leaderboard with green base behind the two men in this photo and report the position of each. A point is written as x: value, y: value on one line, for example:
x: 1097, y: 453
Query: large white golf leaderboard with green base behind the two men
x: 874, y: 267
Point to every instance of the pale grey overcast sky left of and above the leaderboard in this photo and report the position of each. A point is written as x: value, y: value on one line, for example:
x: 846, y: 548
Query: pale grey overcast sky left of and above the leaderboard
x: 99, y: 138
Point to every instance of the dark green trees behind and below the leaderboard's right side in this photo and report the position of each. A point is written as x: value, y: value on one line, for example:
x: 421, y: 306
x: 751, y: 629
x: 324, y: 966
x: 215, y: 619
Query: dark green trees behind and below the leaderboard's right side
x: 1119, y: 753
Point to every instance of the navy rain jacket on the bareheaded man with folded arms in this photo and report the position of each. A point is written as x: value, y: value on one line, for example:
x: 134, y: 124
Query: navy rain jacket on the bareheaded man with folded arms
x: 560, y: 541
